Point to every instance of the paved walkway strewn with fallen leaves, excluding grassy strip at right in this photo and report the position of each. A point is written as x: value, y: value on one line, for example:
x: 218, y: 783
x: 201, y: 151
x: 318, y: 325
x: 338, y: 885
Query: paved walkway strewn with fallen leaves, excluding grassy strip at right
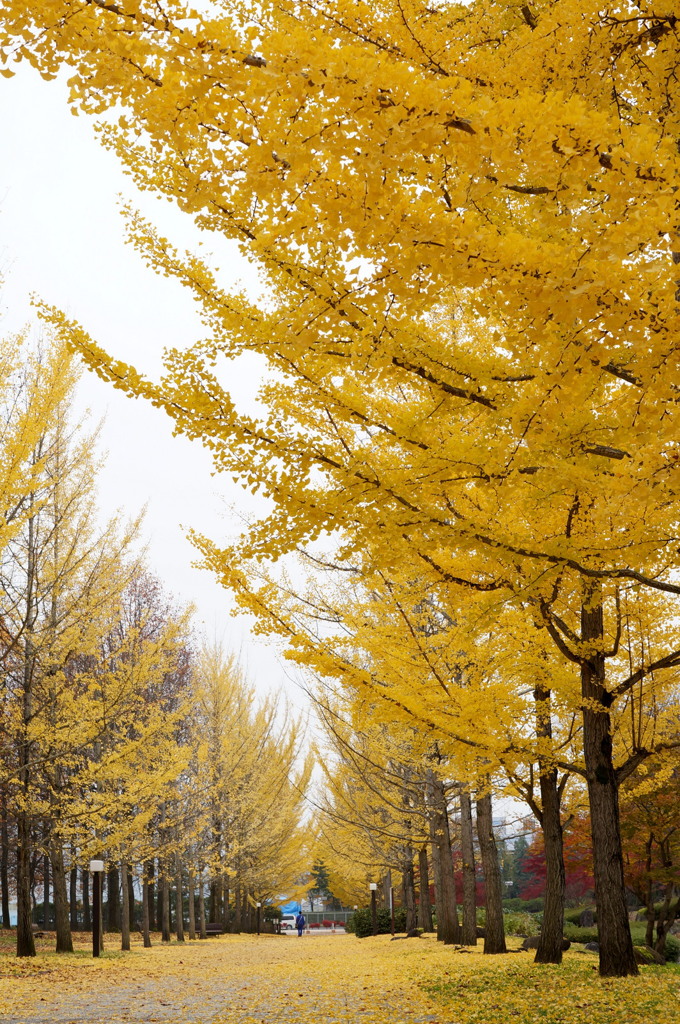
x: 268, y: 980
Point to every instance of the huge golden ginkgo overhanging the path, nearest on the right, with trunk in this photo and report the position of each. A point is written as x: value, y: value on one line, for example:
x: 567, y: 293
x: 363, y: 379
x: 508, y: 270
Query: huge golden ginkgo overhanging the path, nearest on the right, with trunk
x: 466, y: 249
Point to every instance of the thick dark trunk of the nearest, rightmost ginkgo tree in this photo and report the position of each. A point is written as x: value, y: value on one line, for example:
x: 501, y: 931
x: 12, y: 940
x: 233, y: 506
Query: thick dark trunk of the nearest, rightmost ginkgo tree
x: 617, y: 956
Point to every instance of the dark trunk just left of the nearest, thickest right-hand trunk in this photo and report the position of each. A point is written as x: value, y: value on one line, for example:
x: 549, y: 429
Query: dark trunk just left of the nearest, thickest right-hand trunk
x: 550, y: 942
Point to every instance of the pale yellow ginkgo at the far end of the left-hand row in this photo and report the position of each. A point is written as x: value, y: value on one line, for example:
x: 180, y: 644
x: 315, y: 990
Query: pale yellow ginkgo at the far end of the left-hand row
x: 253, y: 769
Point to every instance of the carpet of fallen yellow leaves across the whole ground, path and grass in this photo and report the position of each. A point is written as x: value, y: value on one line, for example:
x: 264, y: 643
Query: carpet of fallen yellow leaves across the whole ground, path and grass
x: 324, y: 979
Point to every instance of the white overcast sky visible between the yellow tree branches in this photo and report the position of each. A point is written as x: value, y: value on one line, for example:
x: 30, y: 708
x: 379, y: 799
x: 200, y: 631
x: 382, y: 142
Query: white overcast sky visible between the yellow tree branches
x: 62, y: 238
